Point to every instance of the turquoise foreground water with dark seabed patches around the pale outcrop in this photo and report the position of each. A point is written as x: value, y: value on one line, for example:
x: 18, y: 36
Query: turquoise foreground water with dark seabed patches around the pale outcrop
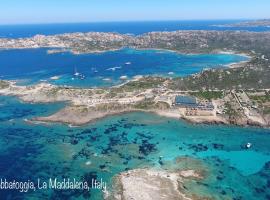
x: 130, y: 141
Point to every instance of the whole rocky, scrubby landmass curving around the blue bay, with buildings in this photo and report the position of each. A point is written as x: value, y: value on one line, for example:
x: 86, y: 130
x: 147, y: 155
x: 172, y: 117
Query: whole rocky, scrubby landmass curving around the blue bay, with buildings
x: 236, y: 95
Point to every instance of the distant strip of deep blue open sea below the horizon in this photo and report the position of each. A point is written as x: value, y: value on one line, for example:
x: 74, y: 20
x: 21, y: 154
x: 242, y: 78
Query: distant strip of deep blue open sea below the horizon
x: 136, y: 28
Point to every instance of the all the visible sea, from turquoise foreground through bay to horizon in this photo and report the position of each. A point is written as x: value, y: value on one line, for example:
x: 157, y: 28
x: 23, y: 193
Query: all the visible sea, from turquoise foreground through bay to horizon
x: 115, y: 144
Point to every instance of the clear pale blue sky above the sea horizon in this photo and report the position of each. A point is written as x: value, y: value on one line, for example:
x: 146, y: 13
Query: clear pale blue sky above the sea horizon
x: 61, y: 11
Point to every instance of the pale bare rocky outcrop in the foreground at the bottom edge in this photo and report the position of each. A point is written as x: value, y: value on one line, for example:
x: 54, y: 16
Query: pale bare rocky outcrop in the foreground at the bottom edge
x: 150, y: 184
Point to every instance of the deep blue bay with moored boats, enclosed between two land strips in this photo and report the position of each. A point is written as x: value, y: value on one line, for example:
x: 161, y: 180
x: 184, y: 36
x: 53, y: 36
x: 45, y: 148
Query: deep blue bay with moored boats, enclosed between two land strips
x: 103, y: 69
